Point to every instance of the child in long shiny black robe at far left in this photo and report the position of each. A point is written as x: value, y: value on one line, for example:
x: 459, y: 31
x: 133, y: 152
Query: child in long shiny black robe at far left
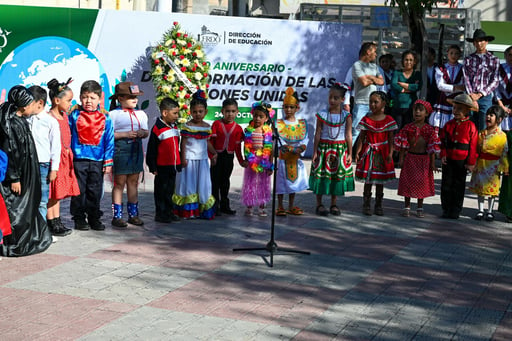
x: 21, y: 188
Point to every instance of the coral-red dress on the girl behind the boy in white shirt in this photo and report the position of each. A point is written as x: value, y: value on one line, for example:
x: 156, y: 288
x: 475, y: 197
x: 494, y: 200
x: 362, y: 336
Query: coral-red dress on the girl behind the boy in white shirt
x: 65, y: 185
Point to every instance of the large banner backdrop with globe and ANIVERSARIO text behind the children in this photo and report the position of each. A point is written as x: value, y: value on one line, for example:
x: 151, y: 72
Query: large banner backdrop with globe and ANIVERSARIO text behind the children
x: 250, y: 59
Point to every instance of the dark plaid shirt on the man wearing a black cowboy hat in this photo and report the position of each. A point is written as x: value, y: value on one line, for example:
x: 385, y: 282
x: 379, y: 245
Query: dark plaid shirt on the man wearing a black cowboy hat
x: 481, y: 73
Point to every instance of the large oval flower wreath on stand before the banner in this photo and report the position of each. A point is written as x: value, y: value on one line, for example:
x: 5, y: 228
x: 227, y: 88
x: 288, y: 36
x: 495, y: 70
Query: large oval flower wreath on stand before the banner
x: 182, y: 50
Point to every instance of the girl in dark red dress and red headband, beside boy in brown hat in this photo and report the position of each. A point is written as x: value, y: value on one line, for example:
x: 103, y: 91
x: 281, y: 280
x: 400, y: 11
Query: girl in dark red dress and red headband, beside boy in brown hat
x: 418, y: 144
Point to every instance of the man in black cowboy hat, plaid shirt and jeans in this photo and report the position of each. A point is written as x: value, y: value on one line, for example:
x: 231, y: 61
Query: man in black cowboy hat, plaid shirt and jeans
x: 481, y: 75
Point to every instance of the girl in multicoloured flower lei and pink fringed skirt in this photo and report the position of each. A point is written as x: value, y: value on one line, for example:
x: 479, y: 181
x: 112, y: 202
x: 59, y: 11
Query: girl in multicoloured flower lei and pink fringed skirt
x: 258, y: 153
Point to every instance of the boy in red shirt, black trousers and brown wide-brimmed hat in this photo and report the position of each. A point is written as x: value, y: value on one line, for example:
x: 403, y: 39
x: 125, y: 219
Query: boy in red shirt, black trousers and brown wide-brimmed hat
x: 458, y: 155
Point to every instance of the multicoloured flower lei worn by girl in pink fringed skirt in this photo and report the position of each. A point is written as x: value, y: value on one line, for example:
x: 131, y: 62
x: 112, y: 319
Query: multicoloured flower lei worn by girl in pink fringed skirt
x: 259, y: 160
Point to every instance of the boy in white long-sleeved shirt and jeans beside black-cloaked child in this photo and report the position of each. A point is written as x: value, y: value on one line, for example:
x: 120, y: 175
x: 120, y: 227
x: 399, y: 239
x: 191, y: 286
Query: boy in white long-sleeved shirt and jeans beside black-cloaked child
x: 46, y: 132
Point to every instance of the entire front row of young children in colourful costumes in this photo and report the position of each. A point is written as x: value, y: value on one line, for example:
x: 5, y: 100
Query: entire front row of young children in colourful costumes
x: 193, y: 163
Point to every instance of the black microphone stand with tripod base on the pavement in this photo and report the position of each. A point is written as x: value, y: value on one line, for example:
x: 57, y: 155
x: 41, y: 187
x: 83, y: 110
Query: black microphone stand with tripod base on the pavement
x: 271, y: 247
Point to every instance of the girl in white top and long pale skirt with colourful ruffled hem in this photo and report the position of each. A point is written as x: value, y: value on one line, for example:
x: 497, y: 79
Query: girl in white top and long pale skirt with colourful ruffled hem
x: 193, y: 194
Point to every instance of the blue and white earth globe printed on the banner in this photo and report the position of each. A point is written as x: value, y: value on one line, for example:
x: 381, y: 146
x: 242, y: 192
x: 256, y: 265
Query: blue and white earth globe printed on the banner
x: 39, y: 60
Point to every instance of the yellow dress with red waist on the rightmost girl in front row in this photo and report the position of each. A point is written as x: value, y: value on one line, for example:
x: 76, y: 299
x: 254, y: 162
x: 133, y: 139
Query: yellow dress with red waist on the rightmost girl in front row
x: 492, y: 159
